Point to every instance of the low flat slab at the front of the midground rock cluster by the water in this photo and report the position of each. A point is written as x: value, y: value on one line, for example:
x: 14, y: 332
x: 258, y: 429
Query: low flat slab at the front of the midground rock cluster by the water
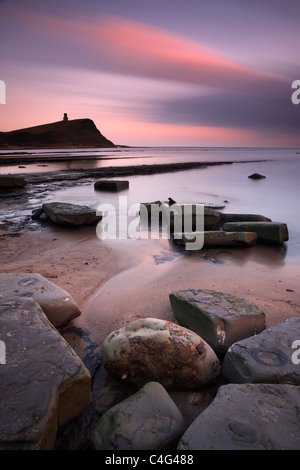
x: 217, y: 238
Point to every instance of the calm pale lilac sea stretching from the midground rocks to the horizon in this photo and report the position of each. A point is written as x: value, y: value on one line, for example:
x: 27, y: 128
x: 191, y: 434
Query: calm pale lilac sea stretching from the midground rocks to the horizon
x: 276, y: 196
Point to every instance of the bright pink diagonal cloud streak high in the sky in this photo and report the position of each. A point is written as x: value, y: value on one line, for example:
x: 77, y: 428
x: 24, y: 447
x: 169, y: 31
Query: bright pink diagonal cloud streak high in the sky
x: 133, y: 48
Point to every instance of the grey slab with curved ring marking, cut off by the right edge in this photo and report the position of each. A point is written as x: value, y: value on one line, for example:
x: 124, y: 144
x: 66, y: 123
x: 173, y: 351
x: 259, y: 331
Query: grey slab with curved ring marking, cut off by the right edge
x: 266, y: 357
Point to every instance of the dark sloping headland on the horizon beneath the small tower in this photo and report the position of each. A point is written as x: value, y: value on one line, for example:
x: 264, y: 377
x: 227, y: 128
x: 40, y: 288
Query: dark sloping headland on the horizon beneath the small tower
x: 62, y: 134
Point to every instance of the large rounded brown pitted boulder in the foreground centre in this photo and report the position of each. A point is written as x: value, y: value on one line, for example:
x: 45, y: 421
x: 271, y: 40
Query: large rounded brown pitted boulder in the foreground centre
x: 156, y: 350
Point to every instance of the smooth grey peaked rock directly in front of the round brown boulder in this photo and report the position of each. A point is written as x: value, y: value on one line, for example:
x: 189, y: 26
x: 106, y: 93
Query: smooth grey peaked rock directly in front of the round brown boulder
x: 148, y: 420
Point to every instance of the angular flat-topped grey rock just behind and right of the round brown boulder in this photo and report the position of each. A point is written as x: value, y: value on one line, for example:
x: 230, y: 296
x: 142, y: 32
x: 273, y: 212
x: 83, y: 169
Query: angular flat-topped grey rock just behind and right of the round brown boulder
x: 220, y: 319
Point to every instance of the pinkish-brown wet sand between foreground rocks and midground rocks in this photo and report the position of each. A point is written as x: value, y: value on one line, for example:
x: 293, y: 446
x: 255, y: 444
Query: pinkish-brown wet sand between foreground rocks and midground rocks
x: 117, y: 281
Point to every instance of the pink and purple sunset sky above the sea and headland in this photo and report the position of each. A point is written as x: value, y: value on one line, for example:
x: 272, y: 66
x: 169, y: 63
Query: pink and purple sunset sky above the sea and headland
x: 155, y: 72
